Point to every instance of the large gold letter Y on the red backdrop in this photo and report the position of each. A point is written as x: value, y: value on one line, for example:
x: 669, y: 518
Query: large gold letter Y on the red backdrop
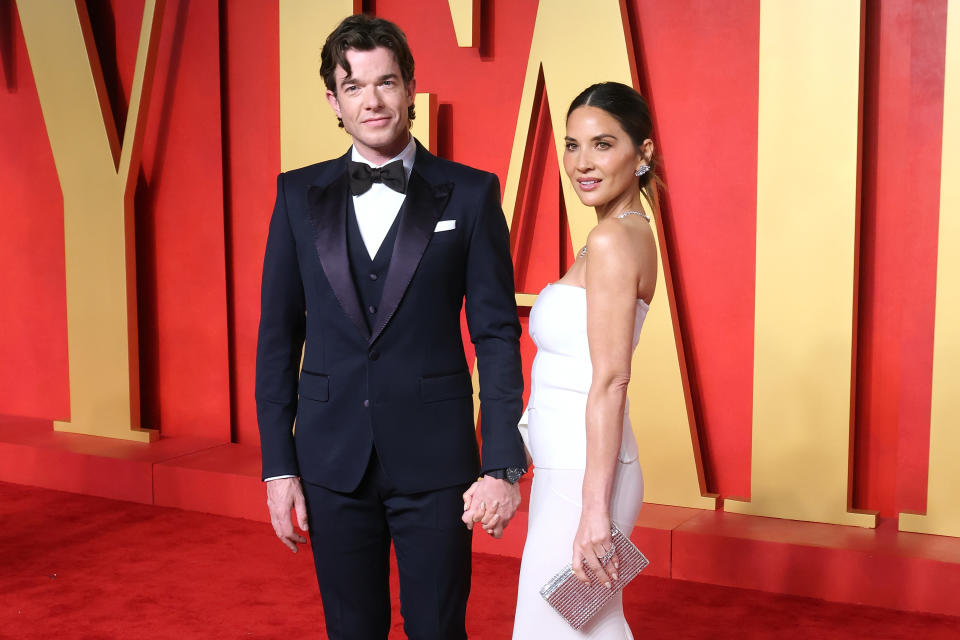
x: 97, y: 176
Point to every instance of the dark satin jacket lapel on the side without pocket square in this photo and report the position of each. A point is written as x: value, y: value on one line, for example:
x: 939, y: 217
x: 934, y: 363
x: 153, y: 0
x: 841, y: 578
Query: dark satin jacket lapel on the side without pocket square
x: 328, y: 212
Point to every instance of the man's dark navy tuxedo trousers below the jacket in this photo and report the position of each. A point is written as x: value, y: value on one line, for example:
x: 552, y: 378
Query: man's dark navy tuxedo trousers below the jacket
x: 351, y: 533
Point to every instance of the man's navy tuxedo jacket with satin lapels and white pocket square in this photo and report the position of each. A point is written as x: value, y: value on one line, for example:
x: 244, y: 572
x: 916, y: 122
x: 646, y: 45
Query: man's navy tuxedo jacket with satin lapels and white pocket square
x: 399, y: 382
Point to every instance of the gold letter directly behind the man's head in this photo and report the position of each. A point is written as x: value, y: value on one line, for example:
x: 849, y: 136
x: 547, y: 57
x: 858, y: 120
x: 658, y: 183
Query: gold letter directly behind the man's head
x: 308, y: 128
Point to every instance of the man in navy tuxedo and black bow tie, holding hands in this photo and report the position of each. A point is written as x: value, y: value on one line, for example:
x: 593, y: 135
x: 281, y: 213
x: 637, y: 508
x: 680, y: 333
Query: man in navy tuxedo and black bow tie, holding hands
x: 368, y: 262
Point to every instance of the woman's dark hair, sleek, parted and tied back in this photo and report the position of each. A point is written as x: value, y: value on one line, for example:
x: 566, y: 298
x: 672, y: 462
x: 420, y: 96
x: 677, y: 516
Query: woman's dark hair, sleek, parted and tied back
x: 629, y: 109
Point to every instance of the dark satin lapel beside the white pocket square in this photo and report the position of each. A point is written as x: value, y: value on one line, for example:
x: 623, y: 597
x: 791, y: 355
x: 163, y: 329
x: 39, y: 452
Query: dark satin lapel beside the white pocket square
x: 422, y: 208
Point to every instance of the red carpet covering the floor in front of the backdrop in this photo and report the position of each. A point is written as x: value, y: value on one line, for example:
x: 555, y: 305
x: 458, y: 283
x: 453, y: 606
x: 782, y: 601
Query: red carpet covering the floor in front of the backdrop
x: 74, y: 566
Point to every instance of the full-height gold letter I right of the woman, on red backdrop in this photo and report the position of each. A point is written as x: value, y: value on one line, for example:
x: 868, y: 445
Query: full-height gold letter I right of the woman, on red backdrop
x: 807, y: 167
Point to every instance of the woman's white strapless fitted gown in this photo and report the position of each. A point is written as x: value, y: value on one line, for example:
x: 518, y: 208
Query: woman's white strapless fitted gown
x: 554, y: 430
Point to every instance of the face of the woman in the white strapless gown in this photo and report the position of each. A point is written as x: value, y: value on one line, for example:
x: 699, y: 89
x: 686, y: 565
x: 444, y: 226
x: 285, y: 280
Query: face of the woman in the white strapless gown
x: 600, y: 158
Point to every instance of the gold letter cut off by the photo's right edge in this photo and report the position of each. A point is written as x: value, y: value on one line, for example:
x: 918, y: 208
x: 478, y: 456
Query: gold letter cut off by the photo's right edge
x: 943, y: 485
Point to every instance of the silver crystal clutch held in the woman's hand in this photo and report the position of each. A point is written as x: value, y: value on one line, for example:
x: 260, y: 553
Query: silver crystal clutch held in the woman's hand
x: 578, y: 602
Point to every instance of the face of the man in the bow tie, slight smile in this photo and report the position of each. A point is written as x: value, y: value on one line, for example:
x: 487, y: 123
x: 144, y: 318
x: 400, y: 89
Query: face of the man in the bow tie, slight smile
x: 372, y: 102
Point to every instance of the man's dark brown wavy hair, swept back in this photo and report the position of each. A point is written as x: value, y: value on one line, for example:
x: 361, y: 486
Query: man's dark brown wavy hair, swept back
x: 364, y: 33
